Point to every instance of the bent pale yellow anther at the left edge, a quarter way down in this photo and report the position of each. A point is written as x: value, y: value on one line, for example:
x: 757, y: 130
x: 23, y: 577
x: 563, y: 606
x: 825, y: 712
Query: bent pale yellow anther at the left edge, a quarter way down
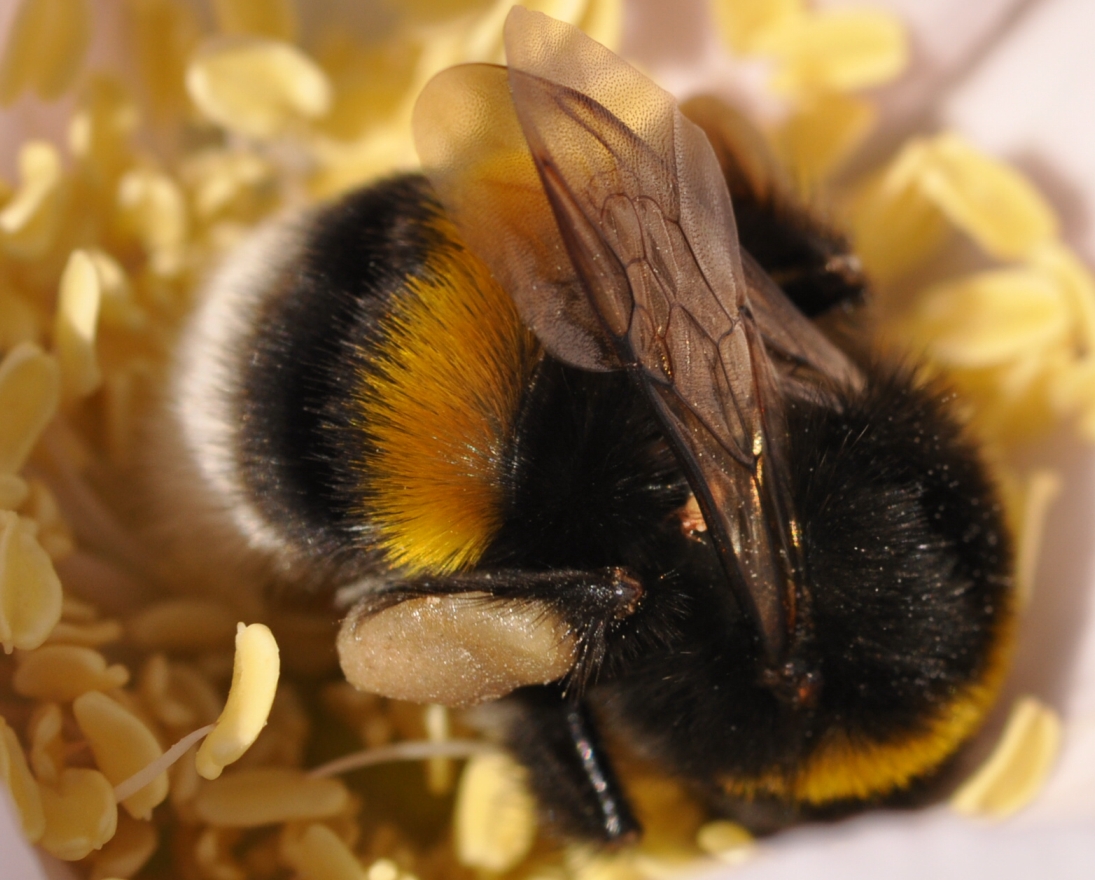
x: 30, y: 219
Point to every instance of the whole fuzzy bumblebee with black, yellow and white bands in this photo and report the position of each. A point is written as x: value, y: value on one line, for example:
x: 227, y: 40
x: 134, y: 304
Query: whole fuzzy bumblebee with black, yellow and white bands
x: 559, y: 433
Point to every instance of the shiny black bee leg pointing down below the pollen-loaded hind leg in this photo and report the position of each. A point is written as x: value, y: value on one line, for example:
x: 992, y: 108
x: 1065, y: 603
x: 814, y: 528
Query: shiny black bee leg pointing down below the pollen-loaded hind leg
x: 571, y: 774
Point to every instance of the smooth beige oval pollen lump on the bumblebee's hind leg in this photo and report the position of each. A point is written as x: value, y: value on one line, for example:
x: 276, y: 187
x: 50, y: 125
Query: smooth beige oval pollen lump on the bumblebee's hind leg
x: 457, y: 651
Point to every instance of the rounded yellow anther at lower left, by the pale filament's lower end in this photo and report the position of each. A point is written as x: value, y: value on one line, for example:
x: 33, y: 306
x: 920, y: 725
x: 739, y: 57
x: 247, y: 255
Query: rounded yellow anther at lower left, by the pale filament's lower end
x: 82, y: 814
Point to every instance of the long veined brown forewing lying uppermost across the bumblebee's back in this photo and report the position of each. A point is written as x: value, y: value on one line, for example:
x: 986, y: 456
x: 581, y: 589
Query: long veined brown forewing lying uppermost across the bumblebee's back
x: 648, y: 223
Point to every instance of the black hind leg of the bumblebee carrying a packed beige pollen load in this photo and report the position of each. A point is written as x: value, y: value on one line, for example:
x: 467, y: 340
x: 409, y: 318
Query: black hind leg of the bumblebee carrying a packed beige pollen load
x: 466, y: 639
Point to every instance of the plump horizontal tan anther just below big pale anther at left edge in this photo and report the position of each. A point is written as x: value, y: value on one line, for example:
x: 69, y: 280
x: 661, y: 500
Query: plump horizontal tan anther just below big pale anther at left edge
x: 64, y: 673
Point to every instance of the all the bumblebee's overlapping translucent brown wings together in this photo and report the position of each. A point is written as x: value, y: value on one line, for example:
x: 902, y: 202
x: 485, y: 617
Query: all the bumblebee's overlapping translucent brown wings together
x: 642, y: 269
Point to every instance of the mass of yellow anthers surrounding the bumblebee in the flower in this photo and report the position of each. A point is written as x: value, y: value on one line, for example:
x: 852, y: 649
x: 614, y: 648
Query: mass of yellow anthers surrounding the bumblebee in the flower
x: 102, y: 241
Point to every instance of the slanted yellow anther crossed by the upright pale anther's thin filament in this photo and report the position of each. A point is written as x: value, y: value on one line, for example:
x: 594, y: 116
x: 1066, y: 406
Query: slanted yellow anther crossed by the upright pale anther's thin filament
x: 122, y: 745
